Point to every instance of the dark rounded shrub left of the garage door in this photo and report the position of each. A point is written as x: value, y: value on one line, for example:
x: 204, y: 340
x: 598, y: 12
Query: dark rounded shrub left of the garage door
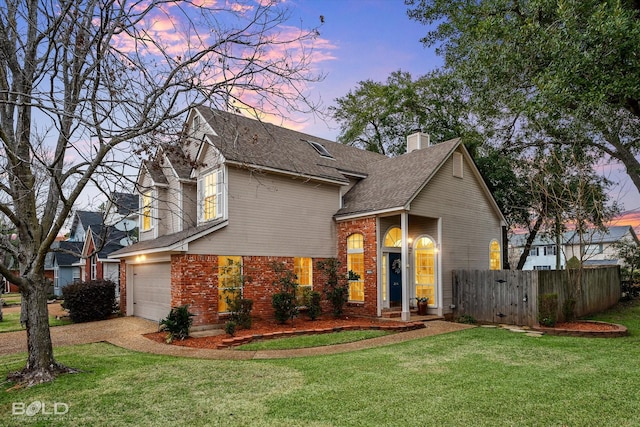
x: 89, y: 301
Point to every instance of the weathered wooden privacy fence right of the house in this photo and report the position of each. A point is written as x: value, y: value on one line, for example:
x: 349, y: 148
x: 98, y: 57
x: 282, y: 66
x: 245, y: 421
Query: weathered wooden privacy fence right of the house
x: 511, y: 296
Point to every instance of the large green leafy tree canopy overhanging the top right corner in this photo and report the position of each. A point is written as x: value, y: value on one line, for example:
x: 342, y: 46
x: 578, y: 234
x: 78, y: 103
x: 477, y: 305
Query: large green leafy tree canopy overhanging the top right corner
x: 558, y: 69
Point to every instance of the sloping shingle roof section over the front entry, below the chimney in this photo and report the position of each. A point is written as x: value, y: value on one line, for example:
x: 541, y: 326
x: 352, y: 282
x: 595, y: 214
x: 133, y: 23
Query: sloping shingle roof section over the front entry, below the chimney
x: 394, y: 182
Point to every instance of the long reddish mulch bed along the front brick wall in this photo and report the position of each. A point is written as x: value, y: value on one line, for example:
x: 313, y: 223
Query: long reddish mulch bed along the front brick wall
x: 262, y: 328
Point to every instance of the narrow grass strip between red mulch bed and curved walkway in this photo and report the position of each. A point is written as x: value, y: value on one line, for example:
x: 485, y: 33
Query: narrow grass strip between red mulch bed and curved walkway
x: 318, y: 340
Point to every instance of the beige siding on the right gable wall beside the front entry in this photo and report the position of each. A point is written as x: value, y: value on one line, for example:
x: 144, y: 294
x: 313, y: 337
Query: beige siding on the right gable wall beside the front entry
x: 469, y: 221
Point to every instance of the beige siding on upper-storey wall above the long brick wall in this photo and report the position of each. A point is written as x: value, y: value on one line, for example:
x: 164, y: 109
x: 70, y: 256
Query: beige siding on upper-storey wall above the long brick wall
x: 274, y: 215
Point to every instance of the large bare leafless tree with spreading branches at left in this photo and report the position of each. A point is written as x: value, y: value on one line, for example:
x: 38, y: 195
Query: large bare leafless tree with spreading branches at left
x: 92, y: 82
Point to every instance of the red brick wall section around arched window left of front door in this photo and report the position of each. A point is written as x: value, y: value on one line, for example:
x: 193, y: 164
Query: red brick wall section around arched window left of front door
x: 366, y: 227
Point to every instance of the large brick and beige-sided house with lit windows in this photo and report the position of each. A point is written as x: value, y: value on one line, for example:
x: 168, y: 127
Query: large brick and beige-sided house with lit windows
x: 242, y: 190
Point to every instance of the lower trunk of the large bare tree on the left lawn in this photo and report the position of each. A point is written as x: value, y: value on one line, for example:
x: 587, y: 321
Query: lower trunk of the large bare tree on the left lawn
x: 41, y: 366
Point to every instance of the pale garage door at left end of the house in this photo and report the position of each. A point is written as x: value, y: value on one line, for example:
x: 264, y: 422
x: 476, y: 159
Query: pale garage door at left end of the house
x: 152, y: 290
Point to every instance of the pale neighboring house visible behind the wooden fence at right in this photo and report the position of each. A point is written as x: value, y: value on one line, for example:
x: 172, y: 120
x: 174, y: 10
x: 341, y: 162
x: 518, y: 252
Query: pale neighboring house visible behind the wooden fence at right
x: 594, y: 248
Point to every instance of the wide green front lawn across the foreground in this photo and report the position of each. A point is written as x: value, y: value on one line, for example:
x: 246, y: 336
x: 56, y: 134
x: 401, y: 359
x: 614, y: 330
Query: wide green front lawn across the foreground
x: 476, y: 377
